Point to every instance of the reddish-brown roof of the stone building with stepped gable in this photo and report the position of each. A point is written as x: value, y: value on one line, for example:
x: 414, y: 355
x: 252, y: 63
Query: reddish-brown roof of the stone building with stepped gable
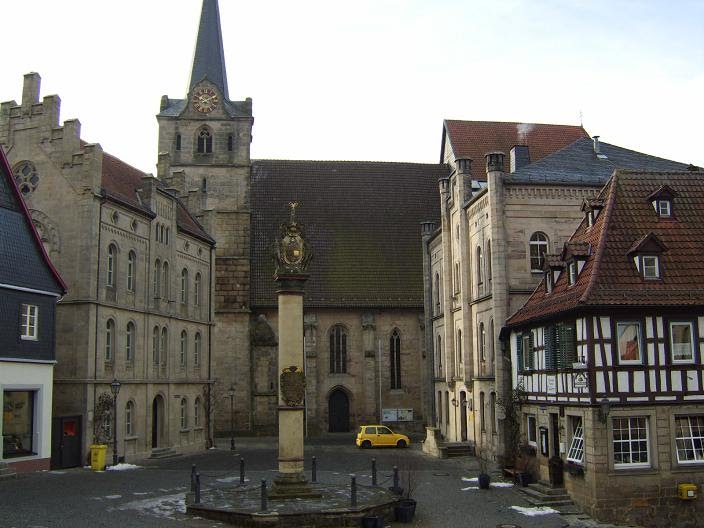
x: 120, y: 182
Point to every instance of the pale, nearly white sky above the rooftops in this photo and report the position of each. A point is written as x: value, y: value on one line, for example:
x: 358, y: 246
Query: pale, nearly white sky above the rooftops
x: 372, y: 79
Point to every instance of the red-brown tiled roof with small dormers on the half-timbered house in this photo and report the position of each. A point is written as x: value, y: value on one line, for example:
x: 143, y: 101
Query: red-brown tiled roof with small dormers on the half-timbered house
x: 609, y: 276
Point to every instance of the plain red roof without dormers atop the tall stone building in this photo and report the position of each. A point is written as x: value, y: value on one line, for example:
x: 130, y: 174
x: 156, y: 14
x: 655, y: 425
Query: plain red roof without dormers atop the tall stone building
x: 474, y: 139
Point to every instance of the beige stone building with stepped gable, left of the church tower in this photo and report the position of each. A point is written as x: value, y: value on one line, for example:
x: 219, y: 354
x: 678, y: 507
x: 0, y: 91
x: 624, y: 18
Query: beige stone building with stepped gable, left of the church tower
x: 113, y: 249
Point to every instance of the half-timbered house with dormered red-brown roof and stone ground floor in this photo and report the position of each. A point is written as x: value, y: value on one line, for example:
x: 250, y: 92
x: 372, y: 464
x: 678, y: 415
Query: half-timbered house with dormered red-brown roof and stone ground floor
x: 607, y: 353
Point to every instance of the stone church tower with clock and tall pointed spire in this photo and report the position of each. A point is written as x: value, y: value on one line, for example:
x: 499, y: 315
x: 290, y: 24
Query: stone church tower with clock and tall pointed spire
x: 204, y: 156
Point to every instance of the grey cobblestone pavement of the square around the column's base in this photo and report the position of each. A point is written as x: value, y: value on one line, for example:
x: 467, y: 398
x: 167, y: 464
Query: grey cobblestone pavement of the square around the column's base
x: 153, y: 495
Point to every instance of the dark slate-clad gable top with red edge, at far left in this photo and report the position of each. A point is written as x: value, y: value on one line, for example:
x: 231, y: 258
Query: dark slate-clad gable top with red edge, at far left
x: 23, y: 260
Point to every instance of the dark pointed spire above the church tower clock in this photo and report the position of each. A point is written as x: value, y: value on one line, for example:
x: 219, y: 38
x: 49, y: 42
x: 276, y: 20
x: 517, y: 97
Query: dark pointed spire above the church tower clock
x: 209, y: 57
